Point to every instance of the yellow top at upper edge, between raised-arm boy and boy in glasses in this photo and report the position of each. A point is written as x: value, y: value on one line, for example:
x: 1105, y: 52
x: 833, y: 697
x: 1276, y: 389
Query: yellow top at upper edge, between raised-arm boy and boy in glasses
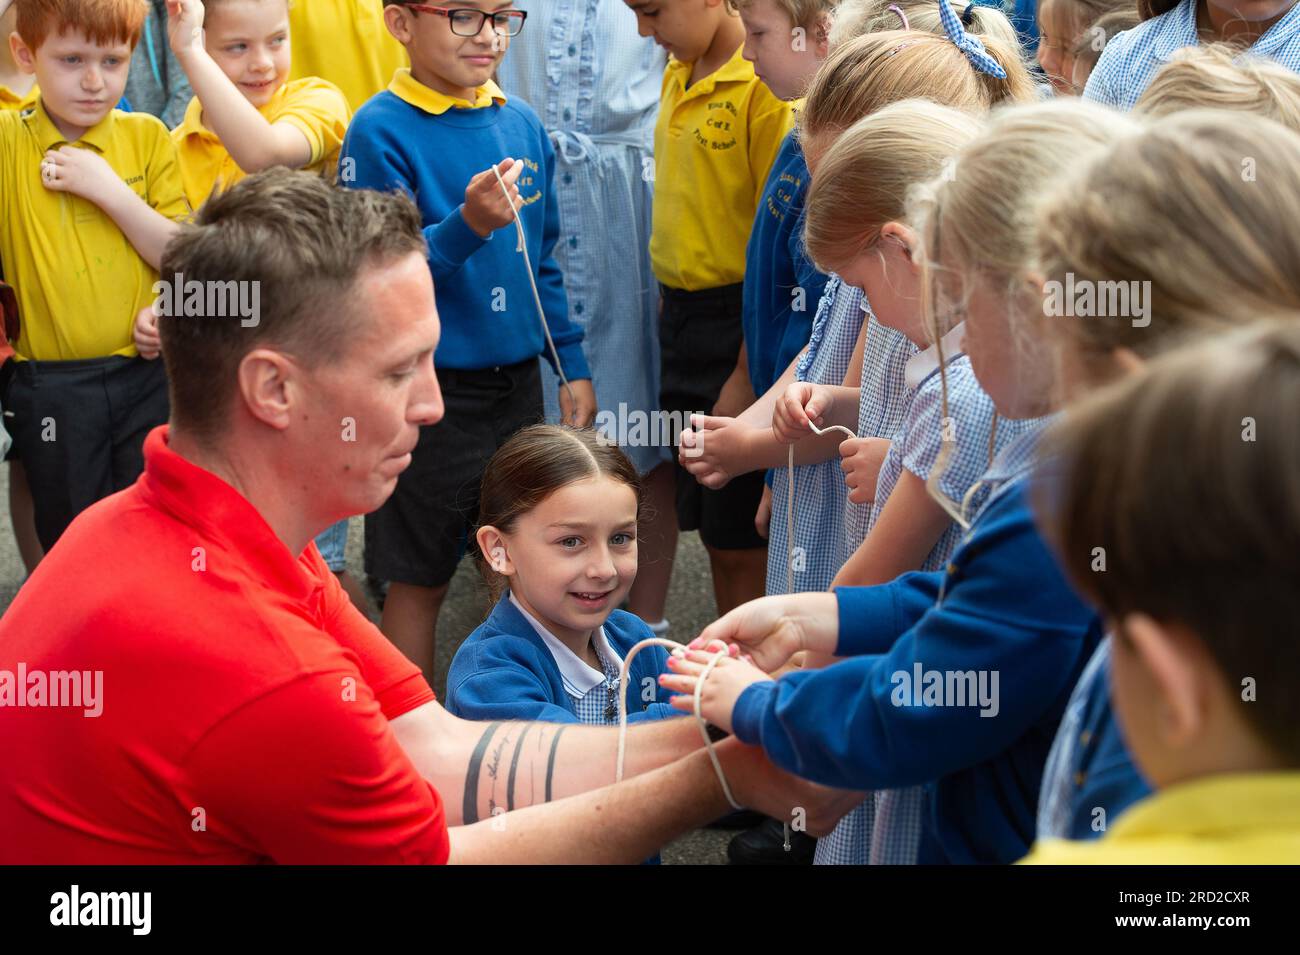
x: 346, y: 44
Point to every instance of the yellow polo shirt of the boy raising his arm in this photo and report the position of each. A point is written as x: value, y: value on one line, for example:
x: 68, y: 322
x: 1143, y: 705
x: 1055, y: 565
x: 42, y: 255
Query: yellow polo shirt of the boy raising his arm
x: 313, y: 106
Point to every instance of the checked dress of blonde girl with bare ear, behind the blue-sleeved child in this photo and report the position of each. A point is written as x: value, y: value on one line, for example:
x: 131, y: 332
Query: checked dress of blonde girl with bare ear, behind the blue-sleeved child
x: 886, y: 828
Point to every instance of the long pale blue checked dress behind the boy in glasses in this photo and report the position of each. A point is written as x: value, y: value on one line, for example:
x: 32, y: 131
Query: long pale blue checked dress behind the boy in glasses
x: 596, y: 86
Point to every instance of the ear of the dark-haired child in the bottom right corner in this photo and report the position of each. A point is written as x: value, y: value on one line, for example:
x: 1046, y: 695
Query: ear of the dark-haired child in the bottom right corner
x: 1173, y: 663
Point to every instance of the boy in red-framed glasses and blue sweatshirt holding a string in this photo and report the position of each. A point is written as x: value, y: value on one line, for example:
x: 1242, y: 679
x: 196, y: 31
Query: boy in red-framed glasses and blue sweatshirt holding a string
x: 470, y: 157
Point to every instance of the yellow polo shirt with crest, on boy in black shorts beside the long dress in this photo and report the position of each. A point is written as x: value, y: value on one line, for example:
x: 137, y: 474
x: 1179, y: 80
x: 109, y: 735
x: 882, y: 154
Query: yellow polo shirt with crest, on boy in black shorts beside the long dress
x: 714, y: 146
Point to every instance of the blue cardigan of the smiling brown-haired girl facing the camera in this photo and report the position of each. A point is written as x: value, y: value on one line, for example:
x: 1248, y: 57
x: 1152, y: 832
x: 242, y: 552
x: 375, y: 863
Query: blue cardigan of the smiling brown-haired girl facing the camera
x: 504, y: 671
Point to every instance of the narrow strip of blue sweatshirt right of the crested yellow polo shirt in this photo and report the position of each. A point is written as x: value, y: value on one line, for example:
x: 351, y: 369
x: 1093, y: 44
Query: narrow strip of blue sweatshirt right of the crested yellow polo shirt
x: 782, y: 286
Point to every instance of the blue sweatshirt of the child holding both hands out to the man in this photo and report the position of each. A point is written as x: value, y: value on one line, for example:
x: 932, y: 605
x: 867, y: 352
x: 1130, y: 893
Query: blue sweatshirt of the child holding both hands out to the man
x: 1002, y: 606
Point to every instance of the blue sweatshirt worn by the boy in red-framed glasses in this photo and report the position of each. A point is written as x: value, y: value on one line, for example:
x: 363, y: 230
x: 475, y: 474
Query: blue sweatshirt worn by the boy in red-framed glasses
x: 486, y: 301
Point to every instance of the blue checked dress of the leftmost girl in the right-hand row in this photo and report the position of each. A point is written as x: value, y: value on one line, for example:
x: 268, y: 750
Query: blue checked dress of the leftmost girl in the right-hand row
x: 820, y: 489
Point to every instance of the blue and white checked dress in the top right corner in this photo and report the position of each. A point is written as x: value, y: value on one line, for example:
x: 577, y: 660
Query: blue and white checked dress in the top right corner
x: 1132, y: 59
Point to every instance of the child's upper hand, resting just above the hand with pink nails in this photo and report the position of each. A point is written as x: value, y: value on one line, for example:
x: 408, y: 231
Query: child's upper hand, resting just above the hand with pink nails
x: 775, y: 628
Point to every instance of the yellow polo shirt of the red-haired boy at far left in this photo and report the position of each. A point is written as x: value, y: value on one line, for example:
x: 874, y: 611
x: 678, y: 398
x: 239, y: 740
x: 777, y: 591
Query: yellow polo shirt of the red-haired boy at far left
x: 79, y: 280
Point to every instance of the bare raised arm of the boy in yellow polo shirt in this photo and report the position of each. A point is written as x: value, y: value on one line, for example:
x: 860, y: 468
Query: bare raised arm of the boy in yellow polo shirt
x: 253, y: 142
